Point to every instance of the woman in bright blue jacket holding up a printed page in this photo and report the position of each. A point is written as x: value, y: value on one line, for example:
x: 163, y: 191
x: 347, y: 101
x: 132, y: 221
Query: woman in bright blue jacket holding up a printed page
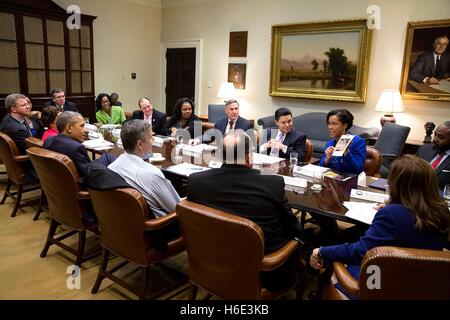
x: 339, y: 121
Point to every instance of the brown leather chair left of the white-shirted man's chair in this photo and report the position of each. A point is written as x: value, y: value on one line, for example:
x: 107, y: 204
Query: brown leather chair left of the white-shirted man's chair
x: 66, y: 202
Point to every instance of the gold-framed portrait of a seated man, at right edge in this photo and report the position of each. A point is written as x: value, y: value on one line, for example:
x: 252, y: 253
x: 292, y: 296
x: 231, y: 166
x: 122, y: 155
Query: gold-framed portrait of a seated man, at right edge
x: 419, y: 61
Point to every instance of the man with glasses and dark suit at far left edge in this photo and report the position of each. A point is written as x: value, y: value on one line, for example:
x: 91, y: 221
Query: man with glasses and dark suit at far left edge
x: 14, y: 124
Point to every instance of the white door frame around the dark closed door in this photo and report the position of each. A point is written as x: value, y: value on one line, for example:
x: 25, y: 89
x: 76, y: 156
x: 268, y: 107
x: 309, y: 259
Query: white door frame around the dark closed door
x: 179, y: 44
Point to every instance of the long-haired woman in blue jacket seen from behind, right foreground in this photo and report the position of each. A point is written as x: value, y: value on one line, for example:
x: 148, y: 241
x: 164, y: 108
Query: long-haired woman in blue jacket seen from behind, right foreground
x: 417, y: 217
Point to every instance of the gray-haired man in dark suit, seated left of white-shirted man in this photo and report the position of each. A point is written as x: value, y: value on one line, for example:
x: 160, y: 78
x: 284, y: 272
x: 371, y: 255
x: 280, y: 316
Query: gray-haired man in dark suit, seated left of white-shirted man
x: 70, y: 141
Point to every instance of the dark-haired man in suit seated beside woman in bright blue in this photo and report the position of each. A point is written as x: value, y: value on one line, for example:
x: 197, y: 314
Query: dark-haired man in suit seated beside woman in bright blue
x: 281, y: 142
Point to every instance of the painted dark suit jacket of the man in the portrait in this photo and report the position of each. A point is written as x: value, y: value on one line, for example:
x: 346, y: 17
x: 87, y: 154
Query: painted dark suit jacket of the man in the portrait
x: 425, y: 66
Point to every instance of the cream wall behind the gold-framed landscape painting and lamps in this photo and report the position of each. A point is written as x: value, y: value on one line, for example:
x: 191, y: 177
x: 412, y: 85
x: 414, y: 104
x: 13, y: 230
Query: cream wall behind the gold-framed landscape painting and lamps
x: 212, y: 22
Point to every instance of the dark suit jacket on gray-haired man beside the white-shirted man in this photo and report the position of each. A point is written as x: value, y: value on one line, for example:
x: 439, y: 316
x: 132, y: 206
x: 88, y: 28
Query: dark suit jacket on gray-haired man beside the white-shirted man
x: 70, y: 147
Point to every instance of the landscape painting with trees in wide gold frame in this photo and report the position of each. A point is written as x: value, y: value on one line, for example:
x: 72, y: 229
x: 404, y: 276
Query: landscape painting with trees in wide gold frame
x: 327, y: 60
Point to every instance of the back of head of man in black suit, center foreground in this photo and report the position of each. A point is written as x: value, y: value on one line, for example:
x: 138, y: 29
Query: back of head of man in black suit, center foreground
x: 239, y: 143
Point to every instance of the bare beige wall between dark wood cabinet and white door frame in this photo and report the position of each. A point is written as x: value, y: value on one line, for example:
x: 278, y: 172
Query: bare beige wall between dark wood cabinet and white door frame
x: 126, y: 40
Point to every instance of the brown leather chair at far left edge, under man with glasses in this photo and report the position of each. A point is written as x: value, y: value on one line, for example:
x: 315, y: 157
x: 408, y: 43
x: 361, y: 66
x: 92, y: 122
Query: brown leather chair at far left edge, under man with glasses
x: 14, y: 163
